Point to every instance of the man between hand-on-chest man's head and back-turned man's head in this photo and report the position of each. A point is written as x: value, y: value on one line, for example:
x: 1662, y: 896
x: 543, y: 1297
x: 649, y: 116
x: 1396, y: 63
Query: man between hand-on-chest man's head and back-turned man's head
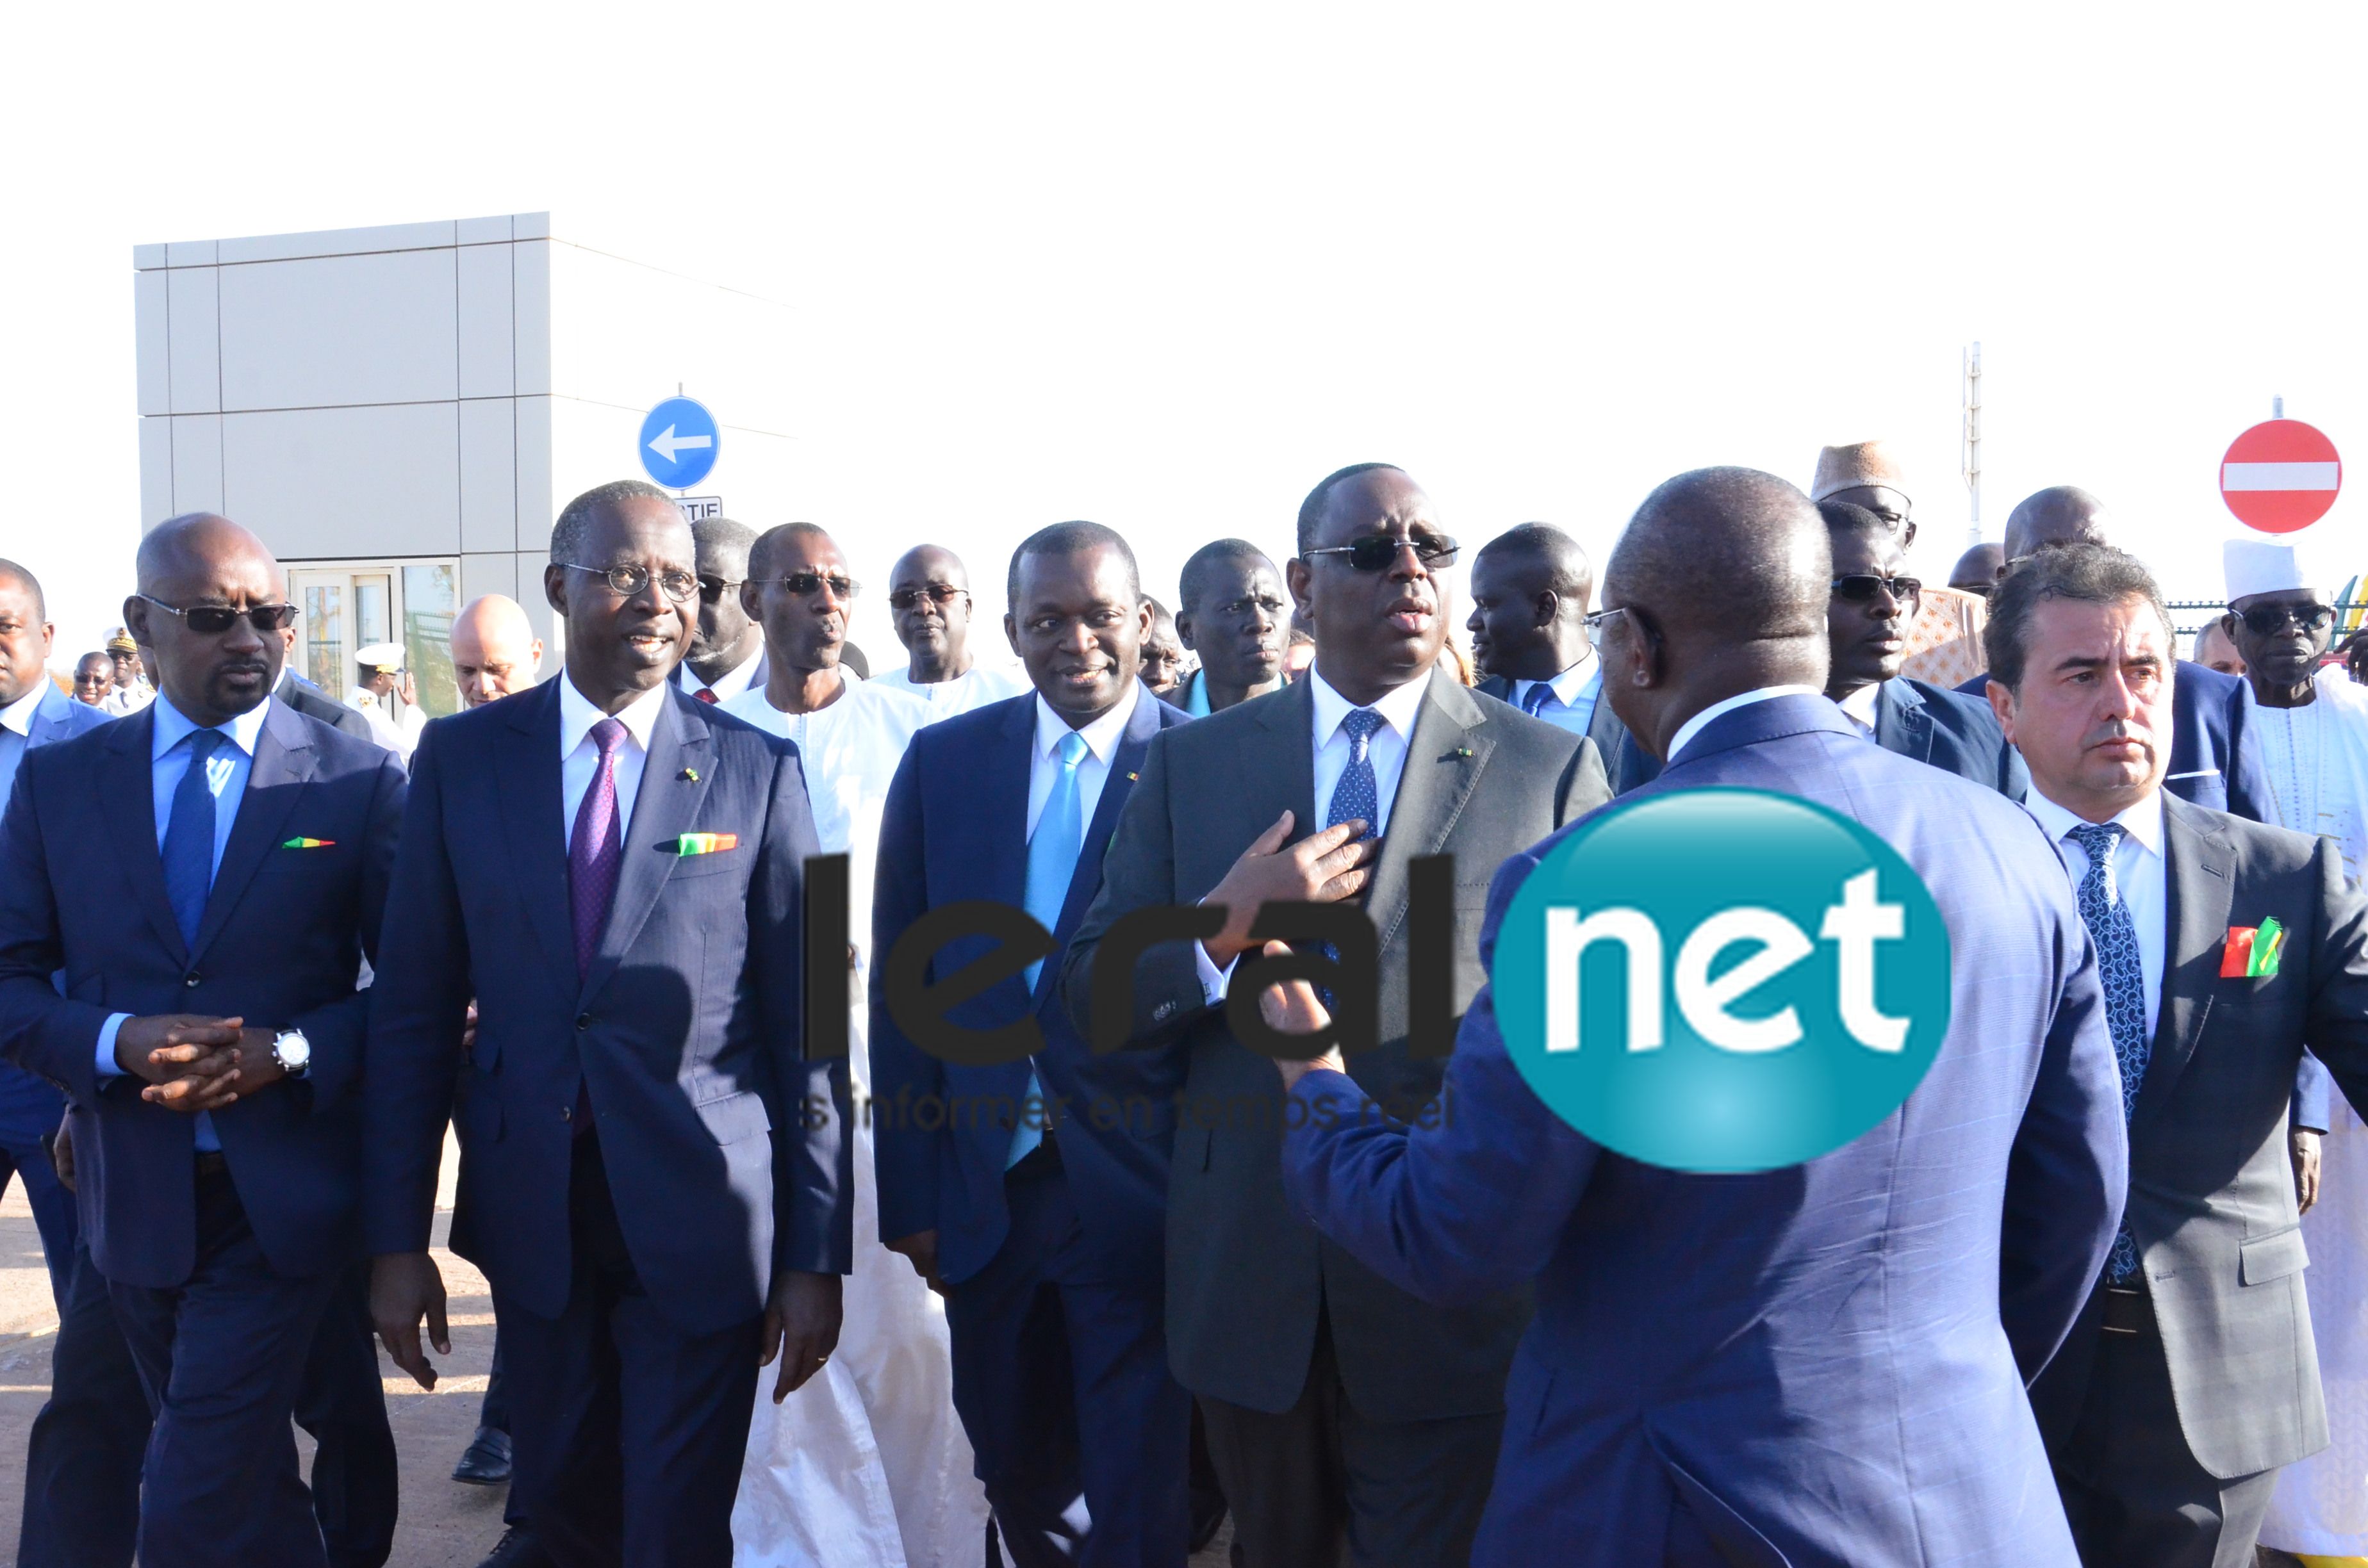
x: 1529, y: 624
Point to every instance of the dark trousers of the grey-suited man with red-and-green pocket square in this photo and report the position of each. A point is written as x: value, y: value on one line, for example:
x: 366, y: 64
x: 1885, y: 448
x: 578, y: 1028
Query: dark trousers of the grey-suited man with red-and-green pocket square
x: 2130, y: 1484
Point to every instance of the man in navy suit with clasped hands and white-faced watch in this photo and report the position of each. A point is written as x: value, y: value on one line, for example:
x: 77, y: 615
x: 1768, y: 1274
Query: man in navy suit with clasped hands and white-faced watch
x: 210, y: 1034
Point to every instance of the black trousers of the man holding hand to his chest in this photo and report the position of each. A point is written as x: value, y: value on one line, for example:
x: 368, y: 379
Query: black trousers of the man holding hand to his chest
x: 1320, y: 1477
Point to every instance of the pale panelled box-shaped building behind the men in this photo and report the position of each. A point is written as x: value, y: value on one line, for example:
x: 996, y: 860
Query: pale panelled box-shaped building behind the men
x: 404, y: 411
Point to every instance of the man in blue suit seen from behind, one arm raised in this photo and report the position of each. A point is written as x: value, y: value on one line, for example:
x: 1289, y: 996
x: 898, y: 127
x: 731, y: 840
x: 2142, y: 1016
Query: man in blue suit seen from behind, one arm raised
x: 1808, y: 1365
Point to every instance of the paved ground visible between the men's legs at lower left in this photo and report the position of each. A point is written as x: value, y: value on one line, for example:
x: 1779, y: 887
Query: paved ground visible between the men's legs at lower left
x: 444, y: 1527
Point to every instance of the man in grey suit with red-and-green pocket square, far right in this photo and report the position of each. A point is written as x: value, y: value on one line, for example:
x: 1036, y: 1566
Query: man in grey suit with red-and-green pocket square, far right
x: 2227, y: 951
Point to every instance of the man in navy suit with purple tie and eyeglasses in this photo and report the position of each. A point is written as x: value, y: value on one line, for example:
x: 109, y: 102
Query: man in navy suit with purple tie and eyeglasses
x: 652, y: 1171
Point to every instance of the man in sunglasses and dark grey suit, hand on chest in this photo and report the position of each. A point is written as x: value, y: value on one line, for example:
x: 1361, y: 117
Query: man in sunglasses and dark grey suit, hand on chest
x: 1337, y: 1406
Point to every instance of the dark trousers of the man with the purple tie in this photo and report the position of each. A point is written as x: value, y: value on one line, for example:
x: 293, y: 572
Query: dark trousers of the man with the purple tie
x: 626, y: 1432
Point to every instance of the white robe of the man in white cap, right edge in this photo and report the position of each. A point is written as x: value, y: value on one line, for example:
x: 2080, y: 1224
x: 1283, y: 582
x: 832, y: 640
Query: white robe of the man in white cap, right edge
x: 2317, y: 761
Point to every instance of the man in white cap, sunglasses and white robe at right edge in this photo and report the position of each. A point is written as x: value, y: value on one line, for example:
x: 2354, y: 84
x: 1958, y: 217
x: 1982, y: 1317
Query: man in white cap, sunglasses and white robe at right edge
x: 2310, y: 731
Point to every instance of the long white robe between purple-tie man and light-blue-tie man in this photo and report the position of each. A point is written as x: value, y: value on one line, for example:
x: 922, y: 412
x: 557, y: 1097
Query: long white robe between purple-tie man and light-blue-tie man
x: 868, y: 1463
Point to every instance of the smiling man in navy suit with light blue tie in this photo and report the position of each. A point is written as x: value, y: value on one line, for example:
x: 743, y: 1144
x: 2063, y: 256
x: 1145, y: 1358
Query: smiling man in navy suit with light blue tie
x: 1034, y: 1193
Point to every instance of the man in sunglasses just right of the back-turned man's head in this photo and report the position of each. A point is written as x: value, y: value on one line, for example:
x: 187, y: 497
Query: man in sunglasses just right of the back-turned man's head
x: 1867, y: 629
